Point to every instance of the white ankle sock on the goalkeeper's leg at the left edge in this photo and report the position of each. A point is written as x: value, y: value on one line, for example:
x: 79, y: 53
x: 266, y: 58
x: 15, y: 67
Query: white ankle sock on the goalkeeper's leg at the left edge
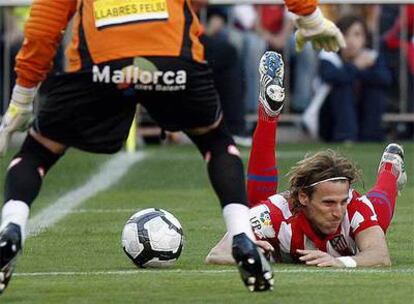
x: 16, y: 212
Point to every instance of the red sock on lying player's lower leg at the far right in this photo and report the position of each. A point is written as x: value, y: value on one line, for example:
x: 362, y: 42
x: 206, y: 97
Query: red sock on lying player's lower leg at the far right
x: 383, y: 195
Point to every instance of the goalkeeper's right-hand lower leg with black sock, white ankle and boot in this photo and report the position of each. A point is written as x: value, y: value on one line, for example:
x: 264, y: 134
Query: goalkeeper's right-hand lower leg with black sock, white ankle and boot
x: 226, y: 174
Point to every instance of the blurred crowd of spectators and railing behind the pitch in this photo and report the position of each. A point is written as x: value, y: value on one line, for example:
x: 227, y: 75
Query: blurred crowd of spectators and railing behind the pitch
x: 365, y: 93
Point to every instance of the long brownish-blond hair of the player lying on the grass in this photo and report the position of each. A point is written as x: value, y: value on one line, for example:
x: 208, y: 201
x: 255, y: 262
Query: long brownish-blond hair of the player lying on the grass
x: 318, y: 167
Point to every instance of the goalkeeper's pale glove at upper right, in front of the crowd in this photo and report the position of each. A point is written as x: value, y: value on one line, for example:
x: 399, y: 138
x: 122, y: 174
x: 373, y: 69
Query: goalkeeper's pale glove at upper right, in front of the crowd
x: 321, y: 32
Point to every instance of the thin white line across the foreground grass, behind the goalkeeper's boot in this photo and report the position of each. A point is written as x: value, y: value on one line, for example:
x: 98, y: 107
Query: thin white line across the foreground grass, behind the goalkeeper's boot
x: 212, y: 271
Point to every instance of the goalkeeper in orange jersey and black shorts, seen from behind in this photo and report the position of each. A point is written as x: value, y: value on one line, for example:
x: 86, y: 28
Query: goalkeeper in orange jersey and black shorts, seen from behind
x: 121, y: 52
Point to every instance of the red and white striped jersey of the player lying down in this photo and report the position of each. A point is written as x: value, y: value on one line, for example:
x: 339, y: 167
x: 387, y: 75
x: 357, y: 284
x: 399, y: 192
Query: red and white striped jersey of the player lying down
x: 273, y: 221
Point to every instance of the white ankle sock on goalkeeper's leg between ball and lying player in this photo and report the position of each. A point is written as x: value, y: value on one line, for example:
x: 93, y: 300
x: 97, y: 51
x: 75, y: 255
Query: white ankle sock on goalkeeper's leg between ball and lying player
x: 237, y: 219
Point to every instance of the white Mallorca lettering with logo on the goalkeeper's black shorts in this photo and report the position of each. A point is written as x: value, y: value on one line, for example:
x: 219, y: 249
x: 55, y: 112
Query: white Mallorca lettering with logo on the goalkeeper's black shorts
x: 141, y: 79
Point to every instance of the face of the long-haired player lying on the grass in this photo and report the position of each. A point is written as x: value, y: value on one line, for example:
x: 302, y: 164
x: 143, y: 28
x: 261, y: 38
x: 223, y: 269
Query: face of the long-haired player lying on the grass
x: 327, y: 206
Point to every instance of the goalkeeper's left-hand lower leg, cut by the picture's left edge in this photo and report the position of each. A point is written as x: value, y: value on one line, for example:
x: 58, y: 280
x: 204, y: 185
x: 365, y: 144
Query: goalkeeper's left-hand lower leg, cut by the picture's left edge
x: 23, y: 182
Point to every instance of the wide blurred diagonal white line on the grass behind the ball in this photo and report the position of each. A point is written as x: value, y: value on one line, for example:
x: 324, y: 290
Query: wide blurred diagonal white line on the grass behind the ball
x: 109, y: 173
